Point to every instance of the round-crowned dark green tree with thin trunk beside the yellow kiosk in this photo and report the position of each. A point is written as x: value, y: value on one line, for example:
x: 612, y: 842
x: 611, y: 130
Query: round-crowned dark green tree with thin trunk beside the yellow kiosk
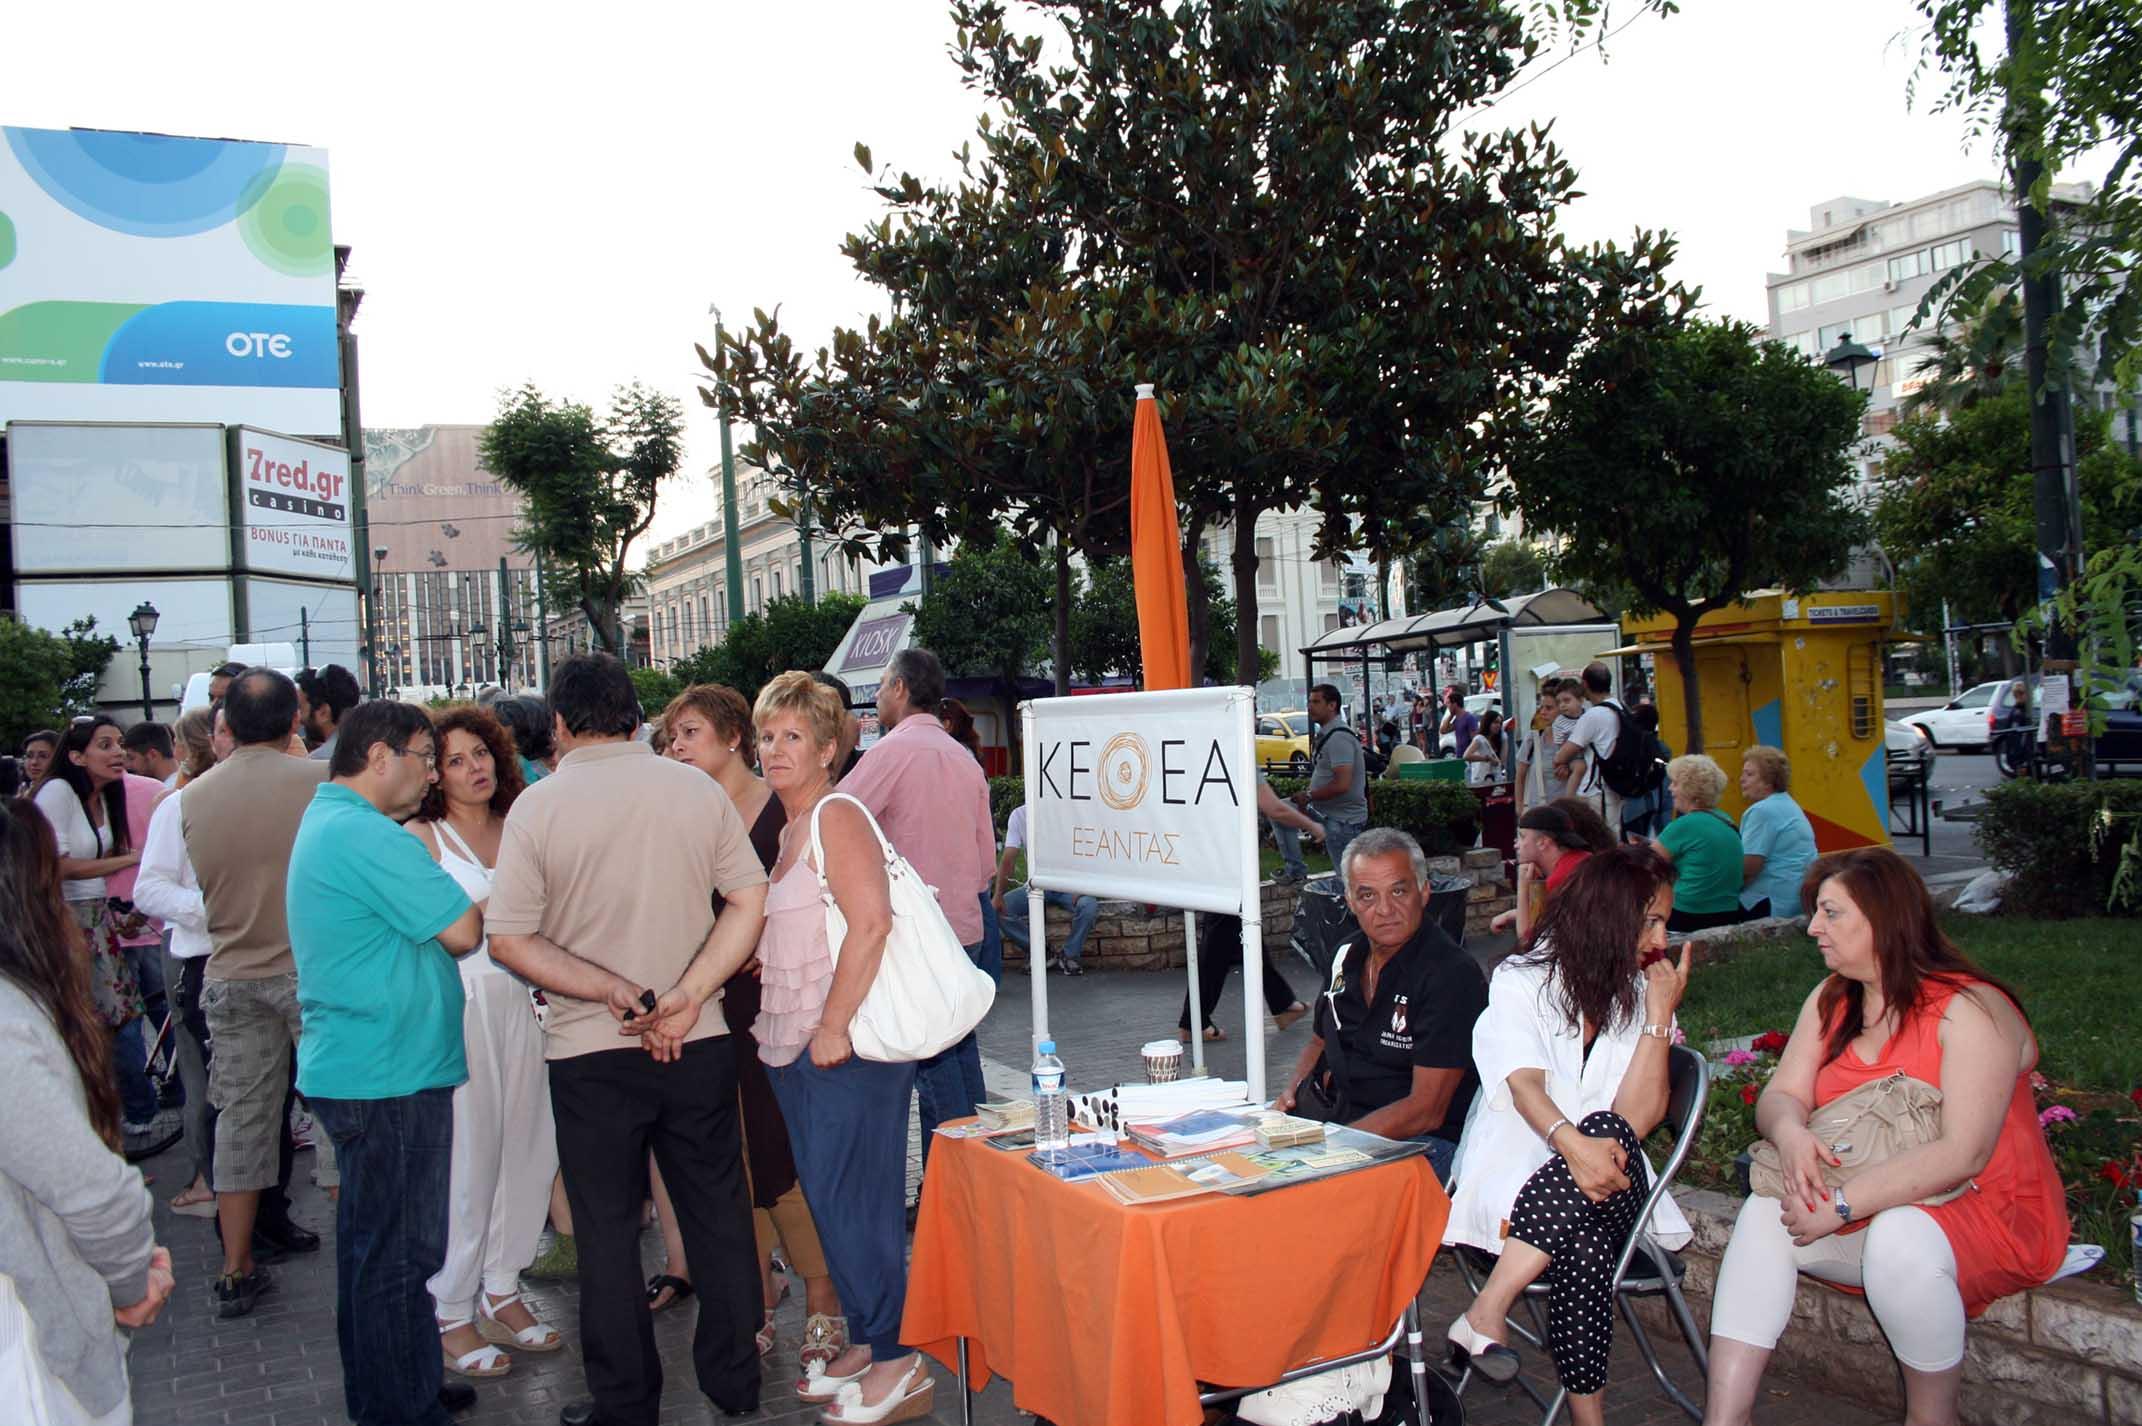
x: 1689, y: 468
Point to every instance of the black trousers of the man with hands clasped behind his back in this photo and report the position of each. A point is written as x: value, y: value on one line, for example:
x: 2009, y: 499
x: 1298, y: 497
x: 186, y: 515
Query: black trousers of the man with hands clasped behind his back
x: 614, y: 1108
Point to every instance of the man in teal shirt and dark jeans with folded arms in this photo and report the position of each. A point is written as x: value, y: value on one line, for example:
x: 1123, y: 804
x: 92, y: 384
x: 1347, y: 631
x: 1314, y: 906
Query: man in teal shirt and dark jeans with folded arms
x: 376, y: 926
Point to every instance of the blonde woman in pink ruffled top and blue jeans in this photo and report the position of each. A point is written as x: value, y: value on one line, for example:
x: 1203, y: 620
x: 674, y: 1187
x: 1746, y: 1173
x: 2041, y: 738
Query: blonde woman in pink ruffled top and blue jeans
x: 847, y: 1117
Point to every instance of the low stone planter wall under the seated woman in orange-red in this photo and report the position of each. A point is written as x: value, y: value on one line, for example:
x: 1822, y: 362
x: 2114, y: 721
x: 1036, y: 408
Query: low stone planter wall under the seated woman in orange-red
x: 2068, y: 1352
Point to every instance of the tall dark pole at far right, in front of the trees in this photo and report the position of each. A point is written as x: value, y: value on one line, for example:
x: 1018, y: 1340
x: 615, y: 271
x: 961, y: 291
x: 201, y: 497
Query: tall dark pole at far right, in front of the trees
x: 2055, y: 500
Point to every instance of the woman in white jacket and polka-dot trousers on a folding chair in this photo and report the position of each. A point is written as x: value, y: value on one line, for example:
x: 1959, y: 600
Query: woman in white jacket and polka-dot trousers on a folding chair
x: 1573, y: 1076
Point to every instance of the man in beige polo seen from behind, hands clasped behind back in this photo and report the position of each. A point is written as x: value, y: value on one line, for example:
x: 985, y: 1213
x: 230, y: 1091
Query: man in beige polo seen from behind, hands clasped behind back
x: 605, y: 898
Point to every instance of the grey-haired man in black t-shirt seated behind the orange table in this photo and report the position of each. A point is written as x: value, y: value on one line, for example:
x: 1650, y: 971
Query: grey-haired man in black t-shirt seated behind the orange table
x: 1393, y: 1035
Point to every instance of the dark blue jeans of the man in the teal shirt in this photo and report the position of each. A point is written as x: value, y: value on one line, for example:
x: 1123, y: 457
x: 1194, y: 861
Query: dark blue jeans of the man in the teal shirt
x: 389, y: 1243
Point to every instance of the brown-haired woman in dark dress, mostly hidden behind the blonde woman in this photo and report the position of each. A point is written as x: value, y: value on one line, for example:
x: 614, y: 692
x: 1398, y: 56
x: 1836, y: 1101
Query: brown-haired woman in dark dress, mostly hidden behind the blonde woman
x: 710, y: 727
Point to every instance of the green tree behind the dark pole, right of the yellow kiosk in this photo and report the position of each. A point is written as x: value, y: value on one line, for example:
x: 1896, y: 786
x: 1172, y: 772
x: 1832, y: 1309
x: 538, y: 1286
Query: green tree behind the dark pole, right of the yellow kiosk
x: 1955, y: 506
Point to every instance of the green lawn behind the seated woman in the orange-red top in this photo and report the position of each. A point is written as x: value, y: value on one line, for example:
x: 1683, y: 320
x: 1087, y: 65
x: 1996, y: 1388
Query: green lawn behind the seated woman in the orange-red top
x: 2077, y: 982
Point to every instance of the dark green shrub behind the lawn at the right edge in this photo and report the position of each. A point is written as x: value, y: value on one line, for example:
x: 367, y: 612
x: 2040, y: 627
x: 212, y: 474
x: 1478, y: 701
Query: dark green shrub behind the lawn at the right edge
x: 2062, y: 845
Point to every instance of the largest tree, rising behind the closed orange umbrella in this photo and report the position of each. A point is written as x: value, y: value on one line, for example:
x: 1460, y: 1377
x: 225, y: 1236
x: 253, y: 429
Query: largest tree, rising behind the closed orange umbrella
x: 1273, y: 213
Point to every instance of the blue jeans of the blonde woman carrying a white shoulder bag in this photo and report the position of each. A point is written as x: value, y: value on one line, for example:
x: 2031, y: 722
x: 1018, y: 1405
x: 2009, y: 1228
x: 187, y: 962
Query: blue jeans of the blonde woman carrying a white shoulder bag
x: 849, y: 1132
